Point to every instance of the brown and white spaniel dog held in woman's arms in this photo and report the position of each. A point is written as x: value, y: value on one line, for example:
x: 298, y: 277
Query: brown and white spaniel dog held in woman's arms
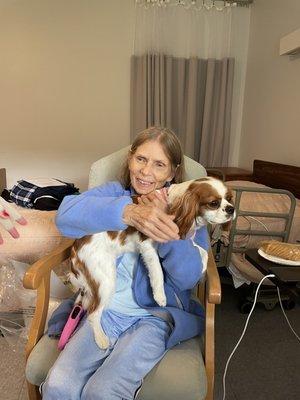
x: 194, y: 204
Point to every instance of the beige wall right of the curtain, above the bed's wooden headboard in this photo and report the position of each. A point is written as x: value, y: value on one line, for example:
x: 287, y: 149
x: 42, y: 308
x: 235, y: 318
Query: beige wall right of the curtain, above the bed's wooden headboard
x: 271, y: 114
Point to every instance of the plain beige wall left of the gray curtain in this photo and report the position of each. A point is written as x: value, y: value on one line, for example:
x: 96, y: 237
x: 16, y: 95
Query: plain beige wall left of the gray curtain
x: 64, y: 85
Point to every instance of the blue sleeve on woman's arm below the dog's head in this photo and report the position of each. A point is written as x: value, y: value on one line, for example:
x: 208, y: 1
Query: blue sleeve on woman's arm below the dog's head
x: 181, y: 259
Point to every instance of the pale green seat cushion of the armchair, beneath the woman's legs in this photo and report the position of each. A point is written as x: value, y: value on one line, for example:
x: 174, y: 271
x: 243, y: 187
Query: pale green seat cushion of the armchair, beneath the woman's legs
x: 179, y: 375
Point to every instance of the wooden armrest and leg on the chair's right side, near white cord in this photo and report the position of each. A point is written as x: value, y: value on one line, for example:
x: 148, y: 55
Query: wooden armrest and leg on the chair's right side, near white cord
x: 209, y: 293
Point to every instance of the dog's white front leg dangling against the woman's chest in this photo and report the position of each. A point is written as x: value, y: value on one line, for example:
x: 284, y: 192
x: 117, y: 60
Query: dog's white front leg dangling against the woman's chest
x: 156, y: 275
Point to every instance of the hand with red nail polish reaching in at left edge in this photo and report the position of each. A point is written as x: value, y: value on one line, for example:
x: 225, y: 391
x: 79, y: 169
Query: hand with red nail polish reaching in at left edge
x: 8, y: 217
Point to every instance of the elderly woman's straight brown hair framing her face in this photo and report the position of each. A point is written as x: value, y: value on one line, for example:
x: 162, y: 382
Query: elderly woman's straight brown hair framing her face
x: 171, y: 146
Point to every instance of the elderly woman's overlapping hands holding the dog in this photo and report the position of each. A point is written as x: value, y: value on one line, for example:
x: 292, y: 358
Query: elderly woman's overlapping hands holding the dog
x: 150, y: 218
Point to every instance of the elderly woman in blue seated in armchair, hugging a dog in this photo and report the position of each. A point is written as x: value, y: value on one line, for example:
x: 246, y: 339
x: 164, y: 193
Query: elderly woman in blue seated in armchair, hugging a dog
x: 140, y: 332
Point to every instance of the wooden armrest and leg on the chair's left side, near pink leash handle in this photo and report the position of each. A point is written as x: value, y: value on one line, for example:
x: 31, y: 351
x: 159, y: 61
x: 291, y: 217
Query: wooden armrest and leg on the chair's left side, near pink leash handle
x: 38, y: 277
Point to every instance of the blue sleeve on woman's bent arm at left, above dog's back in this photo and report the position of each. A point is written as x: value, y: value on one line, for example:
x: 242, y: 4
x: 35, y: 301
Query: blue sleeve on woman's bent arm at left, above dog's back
x: 97, y: 210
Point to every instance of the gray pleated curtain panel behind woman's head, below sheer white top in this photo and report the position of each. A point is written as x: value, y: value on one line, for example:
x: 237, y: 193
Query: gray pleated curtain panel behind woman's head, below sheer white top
x: 191, y: 96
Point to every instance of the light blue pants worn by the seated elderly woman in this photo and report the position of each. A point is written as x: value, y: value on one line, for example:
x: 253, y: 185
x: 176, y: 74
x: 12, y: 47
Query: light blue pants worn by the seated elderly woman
x: 85, y: 372
